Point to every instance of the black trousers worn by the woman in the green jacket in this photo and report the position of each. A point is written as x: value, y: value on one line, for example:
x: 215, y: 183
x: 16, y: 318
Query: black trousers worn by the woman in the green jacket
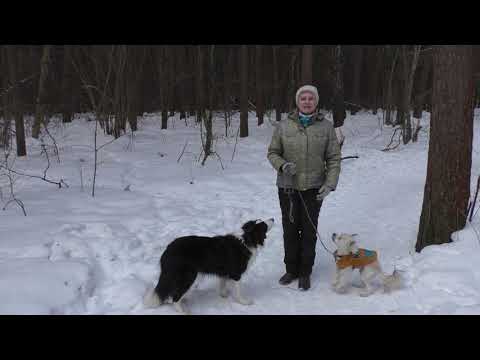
x: 299, y: 236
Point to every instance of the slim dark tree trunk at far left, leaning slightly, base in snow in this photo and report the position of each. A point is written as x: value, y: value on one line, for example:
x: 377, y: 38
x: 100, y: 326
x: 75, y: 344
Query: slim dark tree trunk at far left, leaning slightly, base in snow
x: 16, y: 110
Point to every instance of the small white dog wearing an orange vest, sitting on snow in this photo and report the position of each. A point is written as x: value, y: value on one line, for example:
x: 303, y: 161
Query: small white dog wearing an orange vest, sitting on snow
x: 349, y: 257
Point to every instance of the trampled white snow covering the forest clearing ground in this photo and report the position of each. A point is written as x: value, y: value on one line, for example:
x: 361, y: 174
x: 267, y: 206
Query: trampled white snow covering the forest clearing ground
x: 78, y: 254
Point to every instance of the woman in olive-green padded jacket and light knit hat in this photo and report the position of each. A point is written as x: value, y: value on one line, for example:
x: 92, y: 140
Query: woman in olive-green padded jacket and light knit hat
x: 305, y: 152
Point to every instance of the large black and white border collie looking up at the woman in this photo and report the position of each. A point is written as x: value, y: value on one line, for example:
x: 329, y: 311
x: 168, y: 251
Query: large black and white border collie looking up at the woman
x: 227, y: 256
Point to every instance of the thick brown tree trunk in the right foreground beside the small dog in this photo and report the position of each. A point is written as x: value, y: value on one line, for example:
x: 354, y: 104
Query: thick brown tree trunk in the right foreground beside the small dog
x: 447, y: 186
